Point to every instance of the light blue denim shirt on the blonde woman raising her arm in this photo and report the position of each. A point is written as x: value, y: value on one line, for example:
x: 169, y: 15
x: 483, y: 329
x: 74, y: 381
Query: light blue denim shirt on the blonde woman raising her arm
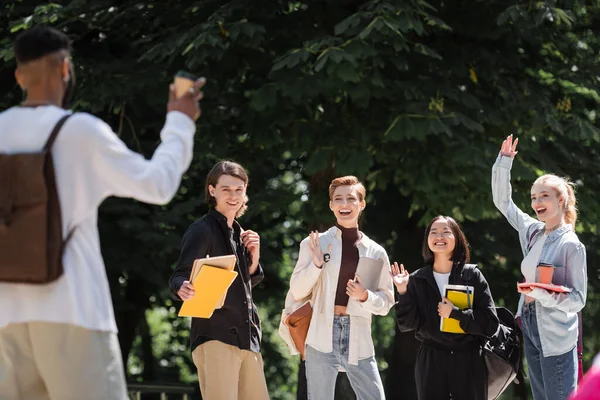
x: 556, y: 312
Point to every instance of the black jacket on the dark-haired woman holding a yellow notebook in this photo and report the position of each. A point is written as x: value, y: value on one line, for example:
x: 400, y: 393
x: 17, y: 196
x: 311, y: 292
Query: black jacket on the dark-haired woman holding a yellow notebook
x: 417, y: 309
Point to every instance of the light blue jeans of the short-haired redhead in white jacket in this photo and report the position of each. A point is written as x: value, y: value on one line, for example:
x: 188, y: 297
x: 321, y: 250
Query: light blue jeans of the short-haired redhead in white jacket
x: 322, y: 368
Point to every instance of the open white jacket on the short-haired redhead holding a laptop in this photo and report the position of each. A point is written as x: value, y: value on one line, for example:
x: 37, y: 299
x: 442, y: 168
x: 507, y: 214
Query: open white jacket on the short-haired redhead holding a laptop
x: 307, y: 277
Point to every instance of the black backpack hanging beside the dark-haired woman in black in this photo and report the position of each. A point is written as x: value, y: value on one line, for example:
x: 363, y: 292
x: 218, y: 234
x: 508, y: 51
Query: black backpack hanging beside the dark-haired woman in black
x: 502, y: 351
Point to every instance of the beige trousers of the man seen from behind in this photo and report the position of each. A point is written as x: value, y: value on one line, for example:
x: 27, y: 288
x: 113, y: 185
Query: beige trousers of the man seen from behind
x: 42, y: 361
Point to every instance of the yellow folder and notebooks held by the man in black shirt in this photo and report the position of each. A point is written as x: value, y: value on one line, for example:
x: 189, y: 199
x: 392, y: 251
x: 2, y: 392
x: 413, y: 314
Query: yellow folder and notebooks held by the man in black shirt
x: 211, y: 278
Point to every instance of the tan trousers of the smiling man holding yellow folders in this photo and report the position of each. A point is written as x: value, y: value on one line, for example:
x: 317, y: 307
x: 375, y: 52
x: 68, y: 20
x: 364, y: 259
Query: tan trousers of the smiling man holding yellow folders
x: 227, y: 373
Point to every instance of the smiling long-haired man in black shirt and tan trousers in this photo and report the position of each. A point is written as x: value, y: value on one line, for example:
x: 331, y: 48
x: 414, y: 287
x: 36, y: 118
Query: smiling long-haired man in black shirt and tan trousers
x: 225, y: 347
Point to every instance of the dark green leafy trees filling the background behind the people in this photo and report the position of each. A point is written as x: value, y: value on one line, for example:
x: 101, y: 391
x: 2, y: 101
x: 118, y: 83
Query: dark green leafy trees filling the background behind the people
x: 412, y: 97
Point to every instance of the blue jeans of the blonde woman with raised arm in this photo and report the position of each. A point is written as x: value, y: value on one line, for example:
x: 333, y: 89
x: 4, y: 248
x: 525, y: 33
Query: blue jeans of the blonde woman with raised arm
x: 554, y: 377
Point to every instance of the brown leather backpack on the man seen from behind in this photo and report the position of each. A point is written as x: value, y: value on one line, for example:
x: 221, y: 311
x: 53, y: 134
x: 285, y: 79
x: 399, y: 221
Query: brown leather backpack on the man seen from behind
x: 31, y: 241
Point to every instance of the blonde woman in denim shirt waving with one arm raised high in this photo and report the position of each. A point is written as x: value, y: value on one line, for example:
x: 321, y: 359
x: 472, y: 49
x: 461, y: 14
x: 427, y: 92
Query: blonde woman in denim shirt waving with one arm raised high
x: 549, y: 318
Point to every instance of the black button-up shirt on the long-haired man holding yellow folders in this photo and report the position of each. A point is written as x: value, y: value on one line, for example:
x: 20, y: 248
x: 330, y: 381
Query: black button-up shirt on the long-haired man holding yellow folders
x: 237, y: 322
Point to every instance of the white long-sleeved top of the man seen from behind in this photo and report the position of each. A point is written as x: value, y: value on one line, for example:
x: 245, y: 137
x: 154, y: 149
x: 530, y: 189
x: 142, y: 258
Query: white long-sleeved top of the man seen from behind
x: 91, y: 164
